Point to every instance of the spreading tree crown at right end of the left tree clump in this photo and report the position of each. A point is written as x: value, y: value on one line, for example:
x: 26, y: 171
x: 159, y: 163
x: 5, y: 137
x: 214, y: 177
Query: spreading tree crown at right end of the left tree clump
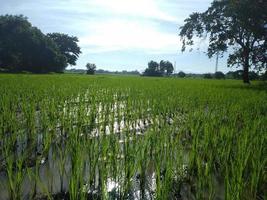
x: 67, y: 45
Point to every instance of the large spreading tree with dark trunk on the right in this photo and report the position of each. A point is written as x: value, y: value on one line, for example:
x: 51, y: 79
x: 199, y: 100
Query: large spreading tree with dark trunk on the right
x: 236, y: 26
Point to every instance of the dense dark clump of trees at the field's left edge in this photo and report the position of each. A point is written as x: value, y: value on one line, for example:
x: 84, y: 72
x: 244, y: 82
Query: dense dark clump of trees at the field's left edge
x: 24, y: 47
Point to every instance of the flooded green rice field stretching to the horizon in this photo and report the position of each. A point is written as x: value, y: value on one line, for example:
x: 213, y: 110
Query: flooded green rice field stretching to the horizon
x: 109, y: 137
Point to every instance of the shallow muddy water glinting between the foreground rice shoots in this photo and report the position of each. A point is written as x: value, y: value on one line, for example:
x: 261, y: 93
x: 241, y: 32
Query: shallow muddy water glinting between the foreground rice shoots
x: 50, y: 166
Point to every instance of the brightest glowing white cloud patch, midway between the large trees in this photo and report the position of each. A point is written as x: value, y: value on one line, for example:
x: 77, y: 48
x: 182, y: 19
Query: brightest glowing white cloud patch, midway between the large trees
x: 119, y: 34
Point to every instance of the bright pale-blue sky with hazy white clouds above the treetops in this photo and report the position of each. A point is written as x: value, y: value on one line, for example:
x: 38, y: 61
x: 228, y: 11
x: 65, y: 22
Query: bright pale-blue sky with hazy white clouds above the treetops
x: 121, y: 34
